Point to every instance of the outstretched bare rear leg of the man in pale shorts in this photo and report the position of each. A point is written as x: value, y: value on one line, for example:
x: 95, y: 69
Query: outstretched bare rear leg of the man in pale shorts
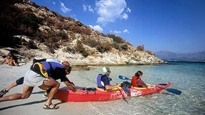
x: 27, y: 90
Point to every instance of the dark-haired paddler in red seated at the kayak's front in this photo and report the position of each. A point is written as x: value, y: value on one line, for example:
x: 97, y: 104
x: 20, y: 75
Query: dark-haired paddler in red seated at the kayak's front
x: 136, y: 80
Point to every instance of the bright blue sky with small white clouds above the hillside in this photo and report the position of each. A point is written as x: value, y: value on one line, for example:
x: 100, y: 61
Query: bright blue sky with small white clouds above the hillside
x: 172, y: 25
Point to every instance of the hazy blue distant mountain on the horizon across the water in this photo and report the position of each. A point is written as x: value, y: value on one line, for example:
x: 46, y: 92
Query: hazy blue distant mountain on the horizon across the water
x: 173, y: 56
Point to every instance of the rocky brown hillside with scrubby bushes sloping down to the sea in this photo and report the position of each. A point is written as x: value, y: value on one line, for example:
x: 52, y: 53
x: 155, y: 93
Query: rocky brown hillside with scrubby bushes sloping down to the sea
x: 35, y: 31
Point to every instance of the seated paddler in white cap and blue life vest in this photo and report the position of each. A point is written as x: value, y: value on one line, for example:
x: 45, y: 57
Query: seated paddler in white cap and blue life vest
x: 103, y: 80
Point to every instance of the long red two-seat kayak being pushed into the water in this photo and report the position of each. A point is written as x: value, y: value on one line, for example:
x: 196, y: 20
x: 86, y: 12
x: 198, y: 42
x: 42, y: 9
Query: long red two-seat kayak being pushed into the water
x: 96, y: 94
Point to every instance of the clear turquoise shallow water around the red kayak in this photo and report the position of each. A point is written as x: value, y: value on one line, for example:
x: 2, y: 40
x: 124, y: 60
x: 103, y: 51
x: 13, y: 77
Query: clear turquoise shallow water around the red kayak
x: 186, y: 77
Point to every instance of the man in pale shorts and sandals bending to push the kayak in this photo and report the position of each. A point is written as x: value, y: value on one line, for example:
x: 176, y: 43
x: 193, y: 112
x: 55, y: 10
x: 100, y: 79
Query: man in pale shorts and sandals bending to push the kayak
x: 43, y: 74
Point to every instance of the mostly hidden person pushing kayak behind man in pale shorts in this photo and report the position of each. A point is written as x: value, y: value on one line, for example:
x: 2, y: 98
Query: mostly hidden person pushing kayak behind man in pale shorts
x: 20, y: 80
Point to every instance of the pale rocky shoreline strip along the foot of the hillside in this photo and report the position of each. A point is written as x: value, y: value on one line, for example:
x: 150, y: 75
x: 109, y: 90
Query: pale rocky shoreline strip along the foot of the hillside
x: 78, y: 61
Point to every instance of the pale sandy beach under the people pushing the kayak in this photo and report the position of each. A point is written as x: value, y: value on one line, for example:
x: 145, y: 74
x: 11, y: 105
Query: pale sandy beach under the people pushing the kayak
x: 34, y: 104
